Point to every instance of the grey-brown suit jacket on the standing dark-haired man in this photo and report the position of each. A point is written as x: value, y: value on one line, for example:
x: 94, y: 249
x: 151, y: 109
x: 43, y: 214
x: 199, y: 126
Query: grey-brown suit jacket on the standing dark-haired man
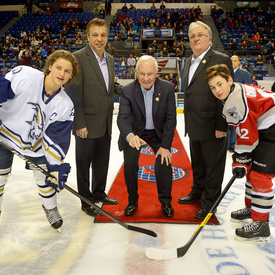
x: 93, y: 101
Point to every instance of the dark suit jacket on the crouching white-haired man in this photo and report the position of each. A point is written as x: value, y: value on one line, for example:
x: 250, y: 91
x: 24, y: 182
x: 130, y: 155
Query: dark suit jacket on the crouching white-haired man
x: 132, y: 116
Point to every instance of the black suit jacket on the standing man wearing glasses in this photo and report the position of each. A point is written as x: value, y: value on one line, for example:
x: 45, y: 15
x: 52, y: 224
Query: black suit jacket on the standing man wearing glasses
x: 202, y: 110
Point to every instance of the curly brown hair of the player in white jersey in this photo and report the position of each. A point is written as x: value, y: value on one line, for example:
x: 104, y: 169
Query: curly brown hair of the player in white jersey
x: 51, y: 59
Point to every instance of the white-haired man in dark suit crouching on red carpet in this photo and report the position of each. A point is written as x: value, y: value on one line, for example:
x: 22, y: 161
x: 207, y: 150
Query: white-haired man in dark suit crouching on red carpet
x: 147, y: 114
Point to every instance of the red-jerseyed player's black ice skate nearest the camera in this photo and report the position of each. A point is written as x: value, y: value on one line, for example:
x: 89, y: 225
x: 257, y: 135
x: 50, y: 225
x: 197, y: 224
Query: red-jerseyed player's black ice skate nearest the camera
x: 256, y: 232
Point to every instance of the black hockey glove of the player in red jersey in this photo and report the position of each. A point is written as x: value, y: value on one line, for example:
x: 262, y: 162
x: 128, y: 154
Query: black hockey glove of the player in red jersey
x: 241, y: 164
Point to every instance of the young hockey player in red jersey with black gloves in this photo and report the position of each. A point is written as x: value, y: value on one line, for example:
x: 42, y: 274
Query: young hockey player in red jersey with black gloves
x: 251, y: 111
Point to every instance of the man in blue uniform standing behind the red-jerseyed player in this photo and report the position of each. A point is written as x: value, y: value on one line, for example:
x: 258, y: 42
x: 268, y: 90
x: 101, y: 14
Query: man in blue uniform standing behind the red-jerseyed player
x: 244, y: 77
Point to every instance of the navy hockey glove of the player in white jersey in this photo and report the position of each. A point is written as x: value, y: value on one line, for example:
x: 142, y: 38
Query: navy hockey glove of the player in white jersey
x: 59, y: 176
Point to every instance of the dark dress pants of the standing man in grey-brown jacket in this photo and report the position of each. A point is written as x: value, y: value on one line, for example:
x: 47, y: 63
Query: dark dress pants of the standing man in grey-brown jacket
x: 92, y: 153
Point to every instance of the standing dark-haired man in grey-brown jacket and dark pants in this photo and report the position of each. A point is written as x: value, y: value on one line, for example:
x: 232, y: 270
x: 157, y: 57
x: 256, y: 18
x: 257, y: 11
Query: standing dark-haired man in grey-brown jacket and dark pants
x: 93, y: 95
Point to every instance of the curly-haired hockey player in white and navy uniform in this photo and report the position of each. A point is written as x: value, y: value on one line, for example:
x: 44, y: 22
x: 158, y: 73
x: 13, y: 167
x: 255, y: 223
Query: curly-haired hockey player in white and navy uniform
x: 35, y: 119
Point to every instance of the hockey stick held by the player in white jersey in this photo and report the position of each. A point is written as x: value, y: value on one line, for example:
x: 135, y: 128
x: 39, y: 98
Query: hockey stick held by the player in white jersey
x: 47, y: 174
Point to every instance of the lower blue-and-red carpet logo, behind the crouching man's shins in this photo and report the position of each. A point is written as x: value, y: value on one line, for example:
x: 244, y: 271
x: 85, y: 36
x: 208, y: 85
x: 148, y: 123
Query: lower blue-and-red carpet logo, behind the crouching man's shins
x: 148, y: 173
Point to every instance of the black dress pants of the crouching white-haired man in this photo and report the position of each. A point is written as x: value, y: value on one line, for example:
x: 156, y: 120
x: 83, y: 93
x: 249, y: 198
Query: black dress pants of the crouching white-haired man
x: 163, y: 172
